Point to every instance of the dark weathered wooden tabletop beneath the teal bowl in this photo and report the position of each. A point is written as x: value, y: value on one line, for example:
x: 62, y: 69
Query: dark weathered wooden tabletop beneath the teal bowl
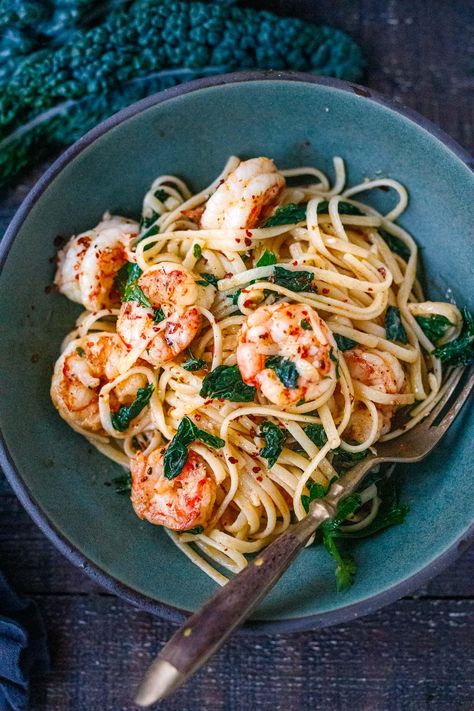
x: 416, y: 654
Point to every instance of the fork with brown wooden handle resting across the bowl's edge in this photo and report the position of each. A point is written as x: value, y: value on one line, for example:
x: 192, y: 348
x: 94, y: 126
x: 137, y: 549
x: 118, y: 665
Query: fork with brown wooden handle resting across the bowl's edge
x: 206, y: 630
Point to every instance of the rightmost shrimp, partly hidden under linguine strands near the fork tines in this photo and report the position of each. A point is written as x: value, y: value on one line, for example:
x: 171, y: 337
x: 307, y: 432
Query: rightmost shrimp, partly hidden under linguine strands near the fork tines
x: 382, y: 372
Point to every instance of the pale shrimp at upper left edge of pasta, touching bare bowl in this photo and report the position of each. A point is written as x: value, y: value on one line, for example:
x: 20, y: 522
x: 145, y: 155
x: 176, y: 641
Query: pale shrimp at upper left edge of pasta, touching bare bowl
x: 89, y: 262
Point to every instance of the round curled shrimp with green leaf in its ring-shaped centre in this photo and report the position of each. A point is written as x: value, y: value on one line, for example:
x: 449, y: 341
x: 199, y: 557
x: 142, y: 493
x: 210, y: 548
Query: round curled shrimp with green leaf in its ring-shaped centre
x: 298, y: 334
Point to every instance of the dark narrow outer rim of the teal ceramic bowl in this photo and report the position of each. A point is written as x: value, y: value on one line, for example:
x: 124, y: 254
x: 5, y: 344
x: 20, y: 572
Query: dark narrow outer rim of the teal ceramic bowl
x: 167, y: 611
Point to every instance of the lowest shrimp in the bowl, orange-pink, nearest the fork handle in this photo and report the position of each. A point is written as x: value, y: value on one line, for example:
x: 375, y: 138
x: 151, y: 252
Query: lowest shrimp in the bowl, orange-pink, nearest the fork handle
x: 181, y: 503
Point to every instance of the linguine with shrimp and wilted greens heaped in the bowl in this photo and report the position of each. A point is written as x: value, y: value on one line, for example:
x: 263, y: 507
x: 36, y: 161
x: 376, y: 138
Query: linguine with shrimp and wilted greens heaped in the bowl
x: 242, y: 346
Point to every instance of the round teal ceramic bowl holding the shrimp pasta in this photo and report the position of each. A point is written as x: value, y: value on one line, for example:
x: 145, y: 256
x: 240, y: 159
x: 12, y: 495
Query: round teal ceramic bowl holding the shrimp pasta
x: 190, y: 131
